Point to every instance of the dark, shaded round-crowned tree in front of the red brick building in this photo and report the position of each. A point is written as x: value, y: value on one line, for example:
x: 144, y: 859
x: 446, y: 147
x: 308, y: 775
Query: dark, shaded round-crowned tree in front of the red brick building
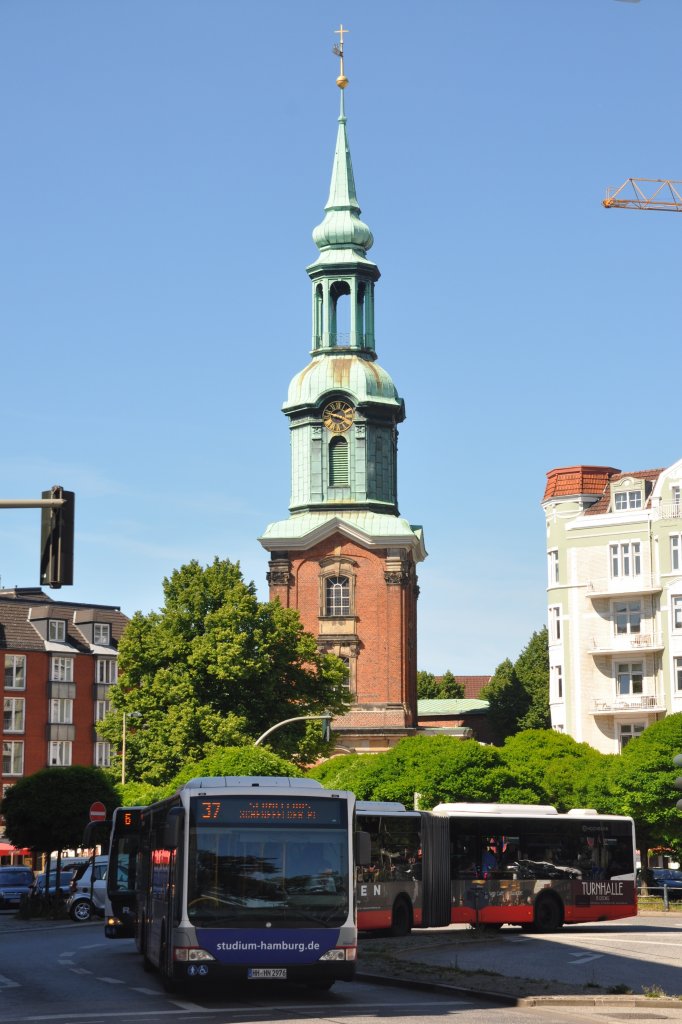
x: 50, y: 810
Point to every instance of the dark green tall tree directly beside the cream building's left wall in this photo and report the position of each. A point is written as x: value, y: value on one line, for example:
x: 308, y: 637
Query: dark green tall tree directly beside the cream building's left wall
x: 519, y: 694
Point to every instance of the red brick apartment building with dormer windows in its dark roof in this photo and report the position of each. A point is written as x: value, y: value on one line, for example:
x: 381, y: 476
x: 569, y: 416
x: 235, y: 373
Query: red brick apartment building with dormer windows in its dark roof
x: 60, y: 663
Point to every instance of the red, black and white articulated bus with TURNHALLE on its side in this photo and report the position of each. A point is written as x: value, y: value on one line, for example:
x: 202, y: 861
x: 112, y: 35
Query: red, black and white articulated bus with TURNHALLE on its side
x: 495, y: 865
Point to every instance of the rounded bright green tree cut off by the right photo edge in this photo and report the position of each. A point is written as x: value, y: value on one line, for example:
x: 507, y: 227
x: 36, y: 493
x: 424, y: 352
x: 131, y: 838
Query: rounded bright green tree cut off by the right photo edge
x: 643, y: 781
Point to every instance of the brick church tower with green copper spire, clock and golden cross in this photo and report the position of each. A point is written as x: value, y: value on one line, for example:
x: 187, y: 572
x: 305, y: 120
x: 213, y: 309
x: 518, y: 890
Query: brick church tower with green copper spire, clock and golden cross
x: 345, y: 558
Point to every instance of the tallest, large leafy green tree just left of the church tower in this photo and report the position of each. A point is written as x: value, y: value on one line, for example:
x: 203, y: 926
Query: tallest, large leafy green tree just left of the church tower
x: 217, y: 668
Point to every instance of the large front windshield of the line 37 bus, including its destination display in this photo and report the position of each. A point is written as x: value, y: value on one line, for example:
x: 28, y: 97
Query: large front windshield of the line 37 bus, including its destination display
x: 252, y: 864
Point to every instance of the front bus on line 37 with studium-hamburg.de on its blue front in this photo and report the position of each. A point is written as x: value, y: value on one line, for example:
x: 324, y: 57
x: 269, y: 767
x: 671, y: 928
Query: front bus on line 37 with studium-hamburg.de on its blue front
x: 248, y: 878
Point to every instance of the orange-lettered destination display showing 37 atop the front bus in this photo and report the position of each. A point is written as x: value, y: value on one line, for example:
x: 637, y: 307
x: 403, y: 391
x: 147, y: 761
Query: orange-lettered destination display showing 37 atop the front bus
x: 268, y: 812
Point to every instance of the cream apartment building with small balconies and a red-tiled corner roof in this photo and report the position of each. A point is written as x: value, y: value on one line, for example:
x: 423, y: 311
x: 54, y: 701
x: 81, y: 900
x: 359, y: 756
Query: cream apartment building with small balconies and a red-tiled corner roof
x: 615, y: 601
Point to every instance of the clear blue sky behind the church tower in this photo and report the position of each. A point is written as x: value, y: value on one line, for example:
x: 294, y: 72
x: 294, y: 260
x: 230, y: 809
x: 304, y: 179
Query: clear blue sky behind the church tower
x: 163, y: 163
